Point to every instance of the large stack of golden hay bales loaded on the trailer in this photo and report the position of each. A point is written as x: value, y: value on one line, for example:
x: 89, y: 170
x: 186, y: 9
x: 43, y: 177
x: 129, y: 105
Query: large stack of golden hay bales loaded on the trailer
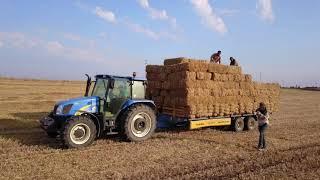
x: 191, y: 88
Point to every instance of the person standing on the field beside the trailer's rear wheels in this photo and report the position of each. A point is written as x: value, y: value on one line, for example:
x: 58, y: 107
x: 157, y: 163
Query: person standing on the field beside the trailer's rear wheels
x: 263, y: 122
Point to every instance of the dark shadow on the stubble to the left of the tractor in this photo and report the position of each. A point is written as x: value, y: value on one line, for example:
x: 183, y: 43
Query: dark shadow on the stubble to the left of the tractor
x: 24, y: 128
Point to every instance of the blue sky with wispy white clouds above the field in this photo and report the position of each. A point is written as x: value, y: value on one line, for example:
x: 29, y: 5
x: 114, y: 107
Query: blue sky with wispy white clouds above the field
x: 274, y: 40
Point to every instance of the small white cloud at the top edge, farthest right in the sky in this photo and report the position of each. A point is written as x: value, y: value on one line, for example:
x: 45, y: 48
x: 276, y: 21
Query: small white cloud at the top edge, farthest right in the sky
x: 265, y: 11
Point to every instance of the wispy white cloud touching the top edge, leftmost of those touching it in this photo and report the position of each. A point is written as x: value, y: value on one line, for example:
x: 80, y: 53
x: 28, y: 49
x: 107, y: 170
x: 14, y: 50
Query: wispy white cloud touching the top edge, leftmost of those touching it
x: 157, y: 14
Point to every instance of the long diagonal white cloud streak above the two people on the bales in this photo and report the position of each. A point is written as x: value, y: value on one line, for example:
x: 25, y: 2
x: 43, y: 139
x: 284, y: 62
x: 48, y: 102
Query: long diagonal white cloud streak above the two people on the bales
x: 209, y: 17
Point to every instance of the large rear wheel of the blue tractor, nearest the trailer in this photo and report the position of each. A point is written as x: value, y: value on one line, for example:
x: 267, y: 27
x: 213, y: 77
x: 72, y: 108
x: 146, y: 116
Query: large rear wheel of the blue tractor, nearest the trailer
x: 138, y: 123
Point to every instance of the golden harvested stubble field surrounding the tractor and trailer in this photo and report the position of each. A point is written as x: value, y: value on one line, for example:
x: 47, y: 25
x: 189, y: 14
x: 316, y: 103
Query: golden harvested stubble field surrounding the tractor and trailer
x: 27, y: 153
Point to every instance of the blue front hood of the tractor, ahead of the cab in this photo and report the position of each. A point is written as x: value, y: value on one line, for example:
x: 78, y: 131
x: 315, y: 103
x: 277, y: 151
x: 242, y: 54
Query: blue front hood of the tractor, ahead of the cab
x: 77, y: 106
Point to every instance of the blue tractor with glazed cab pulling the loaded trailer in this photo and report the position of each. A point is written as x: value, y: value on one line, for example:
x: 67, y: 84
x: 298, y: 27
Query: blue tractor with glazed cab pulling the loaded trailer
x: 113, y: 105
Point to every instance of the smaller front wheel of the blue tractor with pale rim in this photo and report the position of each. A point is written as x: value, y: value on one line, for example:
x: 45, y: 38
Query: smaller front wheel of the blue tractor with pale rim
x: 81, y: 126
